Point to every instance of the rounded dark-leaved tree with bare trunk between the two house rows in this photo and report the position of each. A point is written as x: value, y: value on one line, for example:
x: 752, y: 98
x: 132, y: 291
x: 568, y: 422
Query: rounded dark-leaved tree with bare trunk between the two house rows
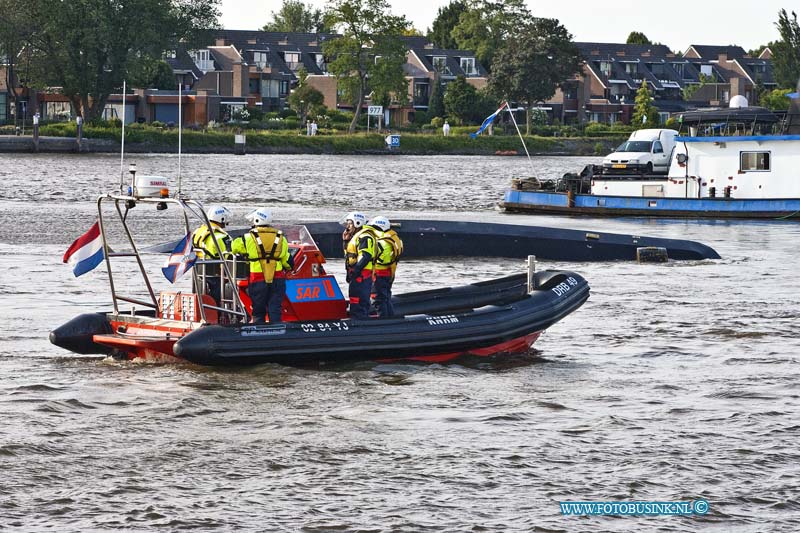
x: 533, y: 61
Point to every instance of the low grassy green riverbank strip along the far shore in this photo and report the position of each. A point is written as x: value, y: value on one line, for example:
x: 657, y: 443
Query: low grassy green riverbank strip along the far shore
x: 291, y: 143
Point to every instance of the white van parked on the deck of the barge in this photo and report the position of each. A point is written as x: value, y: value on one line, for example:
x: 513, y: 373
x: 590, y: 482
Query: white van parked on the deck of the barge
x: 645, y: 152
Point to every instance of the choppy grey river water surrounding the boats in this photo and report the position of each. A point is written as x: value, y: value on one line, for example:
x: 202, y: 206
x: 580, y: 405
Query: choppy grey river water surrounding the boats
x: 674, y: 382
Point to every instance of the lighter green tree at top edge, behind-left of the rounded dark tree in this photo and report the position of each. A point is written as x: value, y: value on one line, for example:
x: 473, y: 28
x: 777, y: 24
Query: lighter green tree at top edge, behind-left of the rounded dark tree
x: 485, y: 24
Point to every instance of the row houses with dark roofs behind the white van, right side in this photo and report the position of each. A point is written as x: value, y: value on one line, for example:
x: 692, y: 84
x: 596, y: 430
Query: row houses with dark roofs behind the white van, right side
x: 606, y: 89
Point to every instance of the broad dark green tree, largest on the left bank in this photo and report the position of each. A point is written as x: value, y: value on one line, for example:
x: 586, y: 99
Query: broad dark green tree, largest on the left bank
x: 88, y: 47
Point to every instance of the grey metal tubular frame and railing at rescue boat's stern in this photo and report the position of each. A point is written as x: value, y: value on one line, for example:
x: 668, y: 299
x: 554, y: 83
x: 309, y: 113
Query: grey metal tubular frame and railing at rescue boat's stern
x: 231, y: 309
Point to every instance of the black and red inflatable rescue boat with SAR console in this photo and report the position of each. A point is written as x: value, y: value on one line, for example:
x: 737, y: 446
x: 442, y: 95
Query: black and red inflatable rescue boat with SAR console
x: 494, y: 317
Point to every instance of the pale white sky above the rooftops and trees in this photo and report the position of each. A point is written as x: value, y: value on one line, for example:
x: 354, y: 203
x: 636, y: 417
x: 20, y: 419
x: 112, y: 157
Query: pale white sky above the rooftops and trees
x: 675, y: 23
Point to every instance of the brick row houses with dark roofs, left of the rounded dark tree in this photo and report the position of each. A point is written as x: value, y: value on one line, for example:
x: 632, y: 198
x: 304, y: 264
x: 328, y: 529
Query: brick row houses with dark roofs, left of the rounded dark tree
x: 257, y: 69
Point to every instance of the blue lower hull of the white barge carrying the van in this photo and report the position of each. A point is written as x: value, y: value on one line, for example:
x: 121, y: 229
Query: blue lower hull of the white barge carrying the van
x: 586, y: 204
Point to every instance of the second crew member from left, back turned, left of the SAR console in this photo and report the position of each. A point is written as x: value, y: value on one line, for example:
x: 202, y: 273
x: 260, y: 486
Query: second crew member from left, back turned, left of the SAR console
x: 267, y: 250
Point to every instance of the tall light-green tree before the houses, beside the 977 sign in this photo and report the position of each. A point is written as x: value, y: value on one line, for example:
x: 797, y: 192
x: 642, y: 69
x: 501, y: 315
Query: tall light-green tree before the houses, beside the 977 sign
x: 369, y: 54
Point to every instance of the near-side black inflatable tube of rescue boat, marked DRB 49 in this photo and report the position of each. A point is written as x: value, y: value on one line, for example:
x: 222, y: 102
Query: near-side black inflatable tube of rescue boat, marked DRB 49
x: 508, y: 328
